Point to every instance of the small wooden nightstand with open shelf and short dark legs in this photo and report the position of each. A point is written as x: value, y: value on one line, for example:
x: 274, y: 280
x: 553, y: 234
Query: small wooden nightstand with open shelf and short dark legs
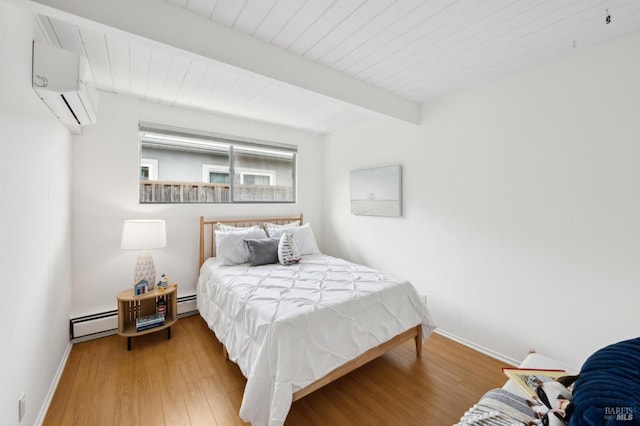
x: 131, y: 307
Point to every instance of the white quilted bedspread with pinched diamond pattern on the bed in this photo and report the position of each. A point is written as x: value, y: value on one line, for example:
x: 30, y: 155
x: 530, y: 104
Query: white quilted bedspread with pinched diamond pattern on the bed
x: 287, y: 326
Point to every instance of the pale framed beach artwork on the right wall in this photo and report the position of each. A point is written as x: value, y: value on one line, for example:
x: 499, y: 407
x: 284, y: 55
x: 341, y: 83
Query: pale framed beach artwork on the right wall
x: 377, y: 191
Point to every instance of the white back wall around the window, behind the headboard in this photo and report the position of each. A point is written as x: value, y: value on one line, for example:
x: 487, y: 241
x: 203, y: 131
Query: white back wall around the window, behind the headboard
x: 105, y: 192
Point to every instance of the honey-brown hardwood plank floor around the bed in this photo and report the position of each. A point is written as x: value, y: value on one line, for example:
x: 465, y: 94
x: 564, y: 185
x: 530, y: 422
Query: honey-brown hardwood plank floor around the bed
x: 186, y: 381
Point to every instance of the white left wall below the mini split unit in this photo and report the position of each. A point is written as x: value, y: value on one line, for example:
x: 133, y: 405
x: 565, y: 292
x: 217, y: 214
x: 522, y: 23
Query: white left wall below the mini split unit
x: 35, y: 153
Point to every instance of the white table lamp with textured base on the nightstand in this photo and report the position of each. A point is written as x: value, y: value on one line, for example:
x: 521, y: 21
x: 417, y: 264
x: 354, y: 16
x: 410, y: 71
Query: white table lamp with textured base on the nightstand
x: 144, y: 235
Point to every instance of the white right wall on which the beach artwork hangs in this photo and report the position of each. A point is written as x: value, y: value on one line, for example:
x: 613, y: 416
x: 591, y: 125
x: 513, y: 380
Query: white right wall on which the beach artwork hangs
x: 522, y: 205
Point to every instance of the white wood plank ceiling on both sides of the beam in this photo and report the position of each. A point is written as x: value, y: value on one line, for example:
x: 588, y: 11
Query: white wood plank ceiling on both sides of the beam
x: 415, y: 49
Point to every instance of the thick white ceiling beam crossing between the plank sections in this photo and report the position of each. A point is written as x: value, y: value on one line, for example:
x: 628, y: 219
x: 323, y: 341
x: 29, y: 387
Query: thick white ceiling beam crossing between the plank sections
x: 165, y: 23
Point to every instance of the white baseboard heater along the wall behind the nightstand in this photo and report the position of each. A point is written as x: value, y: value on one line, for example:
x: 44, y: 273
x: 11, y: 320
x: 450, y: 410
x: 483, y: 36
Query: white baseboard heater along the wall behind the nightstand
x: 106, y: 323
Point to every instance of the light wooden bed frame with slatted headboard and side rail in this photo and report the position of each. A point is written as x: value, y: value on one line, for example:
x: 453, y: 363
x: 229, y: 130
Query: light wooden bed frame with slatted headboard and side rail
x: 208, y: 249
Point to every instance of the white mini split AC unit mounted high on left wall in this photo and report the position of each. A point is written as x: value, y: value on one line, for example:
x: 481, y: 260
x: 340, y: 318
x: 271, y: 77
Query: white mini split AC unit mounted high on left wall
x: 64, y: 82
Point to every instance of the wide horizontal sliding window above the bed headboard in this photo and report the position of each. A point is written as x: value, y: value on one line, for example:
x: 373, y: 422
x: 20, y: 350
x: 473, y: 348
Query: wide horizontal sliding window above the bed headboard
x: 184, y: 166
